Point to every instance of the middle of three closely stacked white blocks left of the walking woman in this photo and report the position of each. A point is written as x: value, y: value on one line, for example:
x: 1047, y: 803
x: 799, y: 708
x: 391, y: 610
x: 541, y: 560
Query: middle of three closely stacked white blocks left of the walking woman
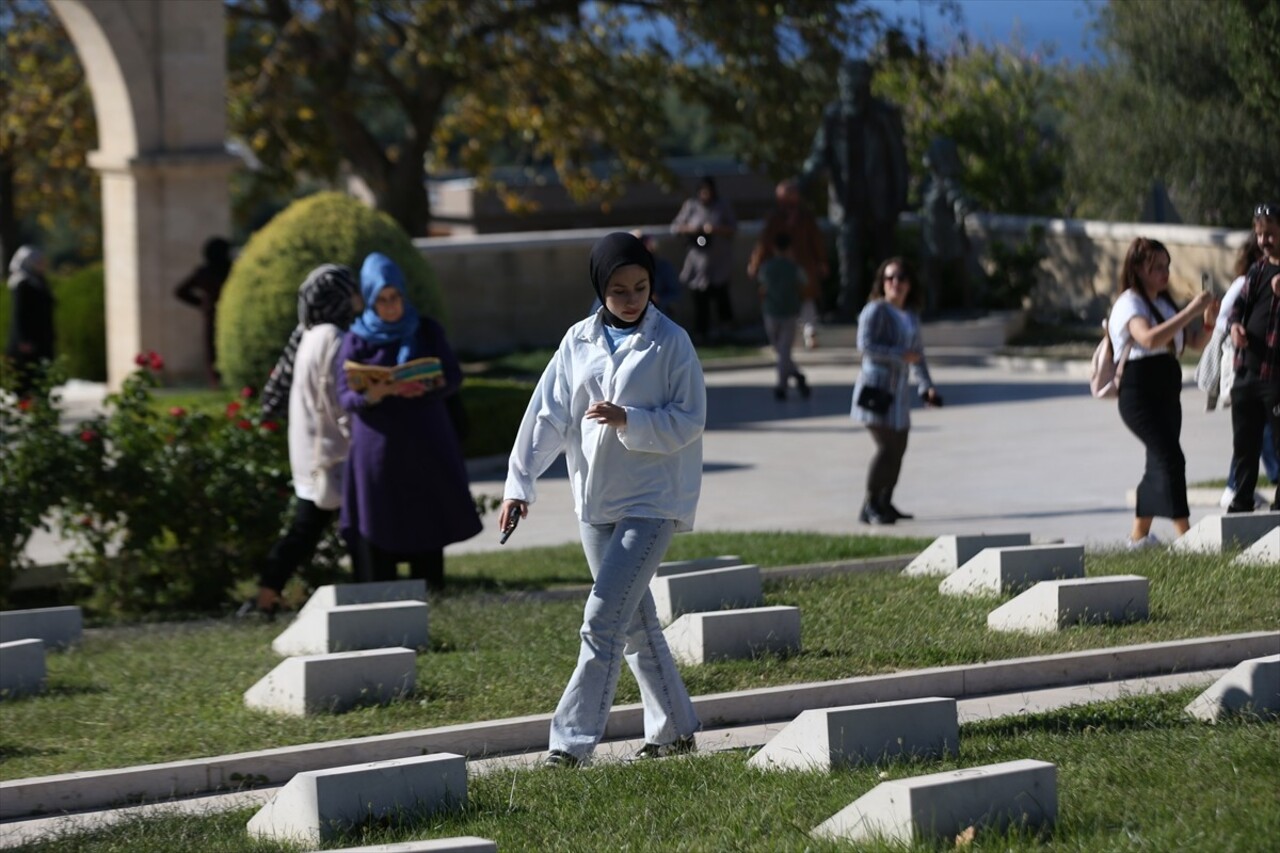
x: 355, y: 627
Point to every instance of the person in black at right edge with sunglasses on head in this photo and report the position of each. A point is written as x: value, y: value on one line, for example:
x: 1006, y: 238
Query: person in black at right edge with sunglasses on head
x: 1255, y: 323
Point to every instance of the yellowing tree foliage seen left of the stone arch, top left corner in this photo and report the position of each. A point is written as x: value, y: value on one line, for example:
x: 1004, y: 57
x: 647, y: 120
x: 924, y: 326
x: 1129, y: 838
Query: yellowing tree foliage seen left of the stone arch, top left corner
x: 47, y: 130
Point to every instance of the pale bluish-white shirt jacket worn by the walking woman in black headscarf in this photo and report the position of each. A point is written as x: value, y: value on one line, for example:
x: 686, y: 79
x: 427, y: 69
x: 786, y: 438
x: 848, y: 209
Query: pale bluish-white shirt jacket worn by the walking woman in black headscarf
x: 653, y: 468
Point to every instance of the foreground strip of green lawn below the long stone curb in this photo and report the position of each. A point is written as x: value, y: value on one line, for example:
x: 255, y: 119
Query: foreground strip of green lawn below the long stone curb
x: 1132, y: 776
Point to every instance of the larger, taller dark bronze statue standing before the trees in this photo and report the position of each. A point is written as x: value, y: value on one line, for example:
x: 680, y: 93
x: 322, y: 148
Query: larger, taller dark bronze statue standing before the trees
x: 860, y: 145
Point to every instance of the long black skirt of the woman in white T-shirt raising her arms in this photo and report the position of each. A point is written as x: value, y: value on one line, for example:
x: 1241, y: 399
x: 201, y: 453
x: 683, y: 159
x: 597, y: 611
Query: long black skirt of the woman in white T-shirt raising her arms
x: 1153, y: 410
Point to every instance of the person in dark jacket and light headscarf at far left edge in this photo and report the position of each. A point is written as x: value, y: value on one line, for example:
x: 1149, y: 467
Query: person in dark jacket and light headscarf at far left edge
x: 31, y: 321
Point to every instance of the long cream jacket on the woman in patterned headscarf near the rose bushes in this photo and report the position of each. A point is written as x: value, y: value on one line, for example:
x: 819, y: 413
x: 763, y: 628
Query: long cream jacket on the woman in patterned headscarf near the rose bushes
x: 319, y: 436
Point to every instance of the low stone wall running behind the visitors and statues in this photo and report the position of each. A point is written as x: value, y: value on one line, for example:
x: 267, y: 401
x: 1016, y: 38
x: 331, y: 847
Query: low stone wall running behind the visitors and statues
x: 524, y: 290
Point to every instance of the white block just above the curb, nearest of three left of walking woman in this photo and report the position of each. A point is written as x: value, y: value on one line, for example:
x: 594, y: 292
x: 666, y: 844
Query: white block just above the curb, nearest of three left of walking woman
x: 333, y: 683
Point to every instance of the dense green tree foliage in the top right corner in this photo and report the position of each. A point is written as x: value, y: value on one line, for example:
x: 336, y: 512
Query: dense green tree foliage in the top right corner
x: 1187, y: 99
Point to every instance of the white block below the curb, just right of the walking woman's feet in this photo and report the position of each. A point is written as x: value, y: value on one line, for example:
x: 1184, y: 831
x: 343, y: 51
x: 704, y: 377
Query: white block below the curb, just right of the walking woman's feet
x: 830, y: 738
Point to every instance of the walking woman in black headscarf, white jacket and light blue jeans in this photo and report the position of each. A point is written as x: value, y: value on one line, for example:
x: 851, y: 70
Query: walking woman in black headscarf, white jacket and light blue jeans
x: 624, y: 400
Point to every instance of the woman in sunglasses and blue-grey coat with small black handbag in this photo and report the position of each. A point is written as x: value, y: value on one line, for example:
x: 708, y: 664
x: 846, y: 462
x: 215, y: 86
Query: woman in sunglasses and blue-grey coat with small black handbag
x: 889, y: 339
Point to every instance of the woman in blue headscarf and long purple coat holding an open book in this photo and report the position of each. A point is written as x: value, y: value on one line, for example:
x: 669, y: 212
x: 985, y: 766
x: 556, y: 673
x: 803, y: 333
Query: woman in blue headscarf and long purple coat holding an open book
x: 406, y: 490
